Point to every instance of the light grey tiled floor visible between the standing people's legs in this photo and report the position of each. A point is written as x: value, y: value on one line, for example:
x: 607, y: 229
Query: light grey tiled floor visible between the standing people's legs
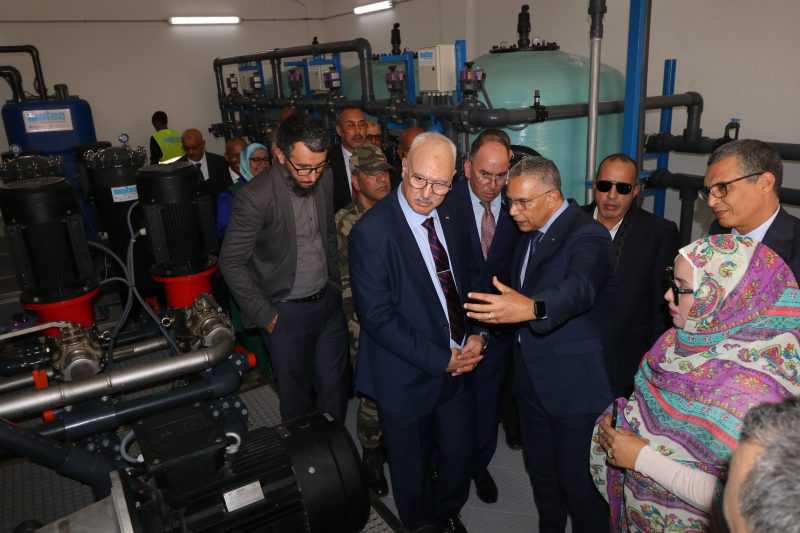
x: 514, y: 511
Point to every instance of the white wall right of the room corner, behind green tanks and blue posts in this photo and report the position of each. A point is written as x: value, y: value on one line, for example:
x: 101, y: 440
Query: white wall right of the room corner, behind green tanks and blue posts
x: 739, y: 54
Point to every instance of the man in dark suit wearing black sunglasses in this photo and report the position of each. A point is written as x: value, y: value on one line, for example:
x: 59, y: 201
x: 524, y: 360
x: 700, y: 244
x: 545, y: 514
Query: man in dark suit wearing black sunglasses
x: 644, y: 245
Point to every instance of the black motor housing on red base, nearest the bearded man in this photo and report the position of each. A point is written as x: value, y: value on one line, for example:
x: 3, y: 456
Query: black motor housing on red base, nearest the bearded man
x: 179, y: 218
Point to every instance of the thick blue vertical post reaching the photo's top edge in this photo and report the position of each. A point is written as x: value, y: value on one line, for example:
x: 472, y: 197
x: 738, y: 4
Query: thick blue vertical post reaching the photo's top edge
x: 636, y: 78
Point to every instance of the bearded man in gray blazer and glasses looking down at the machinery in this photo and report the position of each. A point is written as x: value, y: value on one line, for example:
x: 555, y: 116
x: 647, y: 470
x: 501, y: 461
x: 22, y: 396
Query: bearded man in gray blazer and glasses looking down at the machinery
x: 279, y: 258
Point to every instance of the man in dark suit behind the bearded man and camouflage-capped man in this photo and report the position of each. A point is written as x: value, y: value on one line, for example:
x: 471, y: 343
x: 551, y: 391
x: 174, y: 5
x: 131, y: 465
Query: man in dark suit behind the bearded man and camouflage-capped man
x: 351, y: 127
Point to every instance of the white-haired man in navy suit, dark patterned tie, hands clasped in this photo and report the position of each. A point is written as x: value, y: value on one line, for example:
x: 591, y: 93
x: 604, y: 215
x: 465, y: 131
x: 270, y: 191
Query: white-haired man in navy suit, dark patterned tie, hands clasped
x: 409, y: 274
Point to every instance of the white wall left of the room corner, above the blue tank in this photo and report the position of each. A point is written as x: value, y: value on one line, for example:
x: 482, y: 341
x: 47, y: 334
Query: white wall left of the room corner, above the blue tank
x: 127, y: 70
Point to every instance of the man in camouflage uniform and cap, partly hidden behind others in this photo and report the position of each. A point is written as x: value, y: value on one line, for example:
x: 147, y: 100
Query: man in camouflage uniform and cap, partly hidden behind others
x: 371, y: 183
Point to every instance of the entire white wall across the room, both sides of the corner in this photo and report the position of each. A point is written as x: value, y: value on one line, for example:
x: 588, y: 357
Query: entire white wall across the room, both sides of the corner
x: 740, y: 54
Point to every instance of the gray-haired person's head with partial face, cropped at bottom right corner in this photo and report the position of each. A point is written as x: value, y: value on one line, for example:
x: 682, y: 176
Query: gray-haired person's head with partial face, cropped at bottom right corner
x: 762, y: 494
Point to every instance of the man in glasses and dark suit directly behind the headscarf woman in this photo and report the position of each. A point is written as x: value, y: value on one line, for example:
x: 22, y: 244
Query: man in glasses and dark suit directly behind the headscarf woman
x: 741, y: 187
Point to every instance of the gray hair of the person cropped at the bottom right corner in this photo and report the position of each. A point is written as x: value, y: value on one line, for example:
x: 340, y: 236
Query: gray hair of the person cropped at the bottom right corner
x: 770, y: 494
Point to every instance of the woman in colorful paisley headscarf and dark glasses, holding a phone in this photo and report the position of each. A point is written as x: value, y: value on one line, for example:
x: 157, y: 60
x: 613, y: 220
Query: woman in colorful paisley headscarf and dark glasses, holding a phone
x: 736, y: 309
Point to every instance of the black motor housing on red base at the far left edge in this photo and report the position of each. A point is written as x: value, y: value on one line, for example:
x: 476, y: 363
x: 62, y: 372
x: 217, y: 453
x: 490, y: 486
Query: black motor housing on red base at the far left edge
x: 48, y: 239
